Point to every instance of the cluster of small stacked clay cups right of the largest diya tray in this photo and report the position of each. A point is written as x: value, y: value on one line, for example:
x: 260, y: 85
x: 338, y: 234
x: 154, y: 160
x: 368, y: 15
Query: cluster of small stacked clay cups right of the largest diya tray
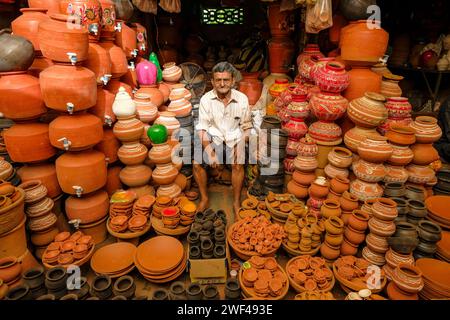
x: 304, y: 233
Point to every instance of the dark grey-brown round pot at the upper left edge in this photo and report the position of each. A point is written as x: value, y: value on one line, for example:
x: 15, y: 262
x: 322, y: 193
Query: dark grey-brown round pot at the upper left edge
x: 17, y: 53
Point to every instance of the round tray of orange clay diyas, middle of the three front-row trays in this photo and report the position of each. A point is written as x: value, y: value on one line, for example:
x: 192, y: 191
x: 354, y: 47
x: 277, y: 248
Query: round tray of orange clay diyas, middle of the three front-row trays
x: 308, y: 273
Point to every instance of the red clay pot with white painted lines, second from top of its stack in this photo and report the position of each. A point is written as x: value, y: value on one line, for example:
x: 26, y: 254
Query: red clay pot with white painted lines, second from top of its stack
x: 328, y: 106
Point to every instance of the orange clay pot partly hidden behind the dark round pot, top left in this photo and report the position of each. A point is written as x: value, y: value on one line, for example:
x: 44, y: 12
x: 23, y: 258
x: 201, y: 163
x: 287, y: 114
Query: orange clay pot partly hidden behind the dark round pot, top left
x: 27, y: 24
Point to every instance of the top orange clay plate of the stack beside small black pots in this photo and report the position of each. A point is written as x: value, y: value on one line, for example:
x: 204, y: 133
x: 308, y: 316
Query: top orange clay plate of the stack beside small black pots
x: 160, y: 254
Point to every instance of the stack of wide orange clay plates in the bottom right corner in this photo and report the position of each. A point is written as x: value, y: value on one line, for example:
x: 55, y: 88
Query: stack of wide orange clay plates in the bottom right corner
x: 436, y: 278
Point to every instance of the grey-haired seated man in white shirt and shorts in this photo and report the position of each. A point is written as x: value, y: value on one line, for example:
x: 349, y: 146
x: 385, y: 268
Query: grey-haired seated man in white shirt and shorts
x: 223, y: 128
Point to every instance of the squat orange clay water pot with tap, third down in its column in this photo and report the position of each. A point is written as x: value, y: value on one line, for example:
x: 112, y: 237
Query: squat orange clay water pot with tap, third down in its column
x: 75, y: 132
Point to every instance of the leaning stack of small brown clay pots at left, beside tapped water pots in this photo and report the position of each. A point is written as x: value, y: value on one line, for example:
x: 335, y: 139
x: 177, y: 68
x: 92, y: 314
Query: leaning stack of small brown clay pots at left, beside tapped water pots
x: 39, y: 211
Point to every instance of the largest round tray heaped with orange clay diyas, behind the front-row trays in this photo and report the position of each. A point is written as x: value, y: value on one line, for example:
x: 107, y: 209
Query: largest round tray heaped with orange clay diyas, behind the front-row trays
x: 246, y: 241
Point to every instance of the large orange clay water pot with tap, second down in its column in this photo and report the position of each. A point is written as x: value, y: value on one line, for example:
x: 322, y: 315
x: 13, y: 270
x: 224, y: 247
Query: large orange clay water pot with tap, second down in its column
x: 68, y: 88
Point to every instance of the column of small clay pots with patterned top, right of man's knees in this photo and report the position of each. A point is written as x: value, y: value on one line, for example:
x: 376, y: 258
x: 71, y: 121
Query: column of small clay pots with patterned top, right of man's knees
x: 304, y: 164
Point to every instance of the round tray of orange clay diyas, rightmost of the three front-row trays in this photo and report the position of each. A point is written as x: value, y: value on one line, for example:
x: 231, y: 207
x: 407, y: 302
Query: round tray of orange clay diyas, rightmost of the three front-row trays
x: 352, y: 274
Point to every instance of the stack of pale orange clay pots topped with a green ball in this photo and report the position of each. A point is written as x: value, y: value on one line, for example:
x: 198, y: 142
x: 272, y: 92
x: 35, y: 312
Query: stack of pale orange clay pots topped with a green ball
x: 165, y: 173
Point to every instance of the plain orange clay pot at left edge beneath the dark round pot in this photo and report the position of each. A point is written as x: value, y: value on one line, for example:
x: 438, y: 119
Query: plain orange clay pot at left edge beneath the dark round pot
x: 13, y: 103
